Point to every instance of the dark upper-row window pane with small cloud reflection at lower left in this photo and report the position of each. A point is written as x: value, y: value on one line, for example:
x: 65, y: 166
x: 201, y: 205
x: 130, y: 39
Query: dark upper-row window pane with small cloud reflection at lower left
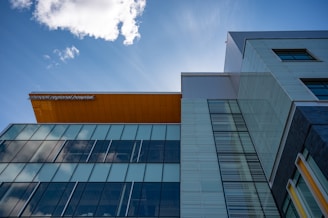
x: 120, y: 151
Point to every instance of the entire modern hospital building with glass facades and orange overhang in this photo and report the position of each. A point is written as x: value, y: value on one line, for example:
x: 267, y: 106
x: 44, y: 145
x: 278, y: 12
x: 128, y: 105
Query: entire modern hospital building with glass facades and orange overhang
x: 249, y: 142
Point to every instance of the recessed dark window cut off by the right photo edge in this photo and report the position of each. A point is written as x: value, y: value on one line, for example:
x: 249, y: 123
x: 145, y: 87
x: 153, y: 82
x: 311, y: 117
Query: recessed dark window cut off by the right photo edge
x: 319, y: 87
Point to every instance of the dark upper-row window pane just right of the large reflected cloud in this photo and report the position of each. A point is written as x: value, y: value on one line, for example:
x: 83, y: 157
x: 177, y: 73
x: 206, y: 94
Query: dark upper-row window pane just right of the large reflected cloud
x: 75, y: 151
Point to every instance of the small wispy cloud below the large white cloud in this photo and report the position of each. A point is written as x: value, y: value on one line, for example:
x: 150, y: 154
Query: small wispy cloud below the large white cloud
x: 58, y: 56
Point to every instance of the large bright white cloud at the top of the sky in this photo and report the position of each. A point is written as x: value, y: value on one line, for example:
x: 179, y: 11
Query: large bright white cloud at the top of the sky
x: 104, y: 19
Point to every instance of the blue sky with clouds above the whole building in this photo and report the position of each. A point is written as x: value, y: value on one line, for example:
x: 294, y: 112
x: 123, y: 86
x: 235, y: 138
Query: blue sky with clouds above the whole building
x: 140, y: 45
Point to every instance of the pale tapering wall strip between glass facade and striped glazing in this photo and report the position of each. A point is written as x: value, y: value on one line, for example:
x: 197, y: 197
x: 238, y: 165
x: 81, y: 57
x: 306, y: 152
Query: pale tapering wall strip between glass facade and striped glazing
x: 201, y: 187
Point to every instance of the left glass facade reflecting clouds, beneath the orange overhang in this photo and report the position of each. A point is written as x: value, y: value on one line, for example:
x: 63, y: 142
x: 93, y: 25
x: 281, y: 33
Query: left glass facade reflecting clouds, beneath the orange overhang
x: 95, y: 170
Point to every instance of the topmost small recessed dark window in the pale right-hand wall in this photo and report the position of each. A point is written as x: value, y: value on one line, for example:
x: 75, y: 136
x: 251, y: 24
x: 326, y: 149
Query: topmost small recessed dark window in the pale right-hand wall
x: 294, y: 55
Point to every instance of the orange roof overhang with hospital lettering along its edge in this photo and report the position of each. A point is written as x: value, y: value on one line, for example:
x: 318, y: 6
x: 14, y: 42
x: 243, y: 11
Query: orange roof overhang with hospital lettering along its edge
x: 107, y: 108
